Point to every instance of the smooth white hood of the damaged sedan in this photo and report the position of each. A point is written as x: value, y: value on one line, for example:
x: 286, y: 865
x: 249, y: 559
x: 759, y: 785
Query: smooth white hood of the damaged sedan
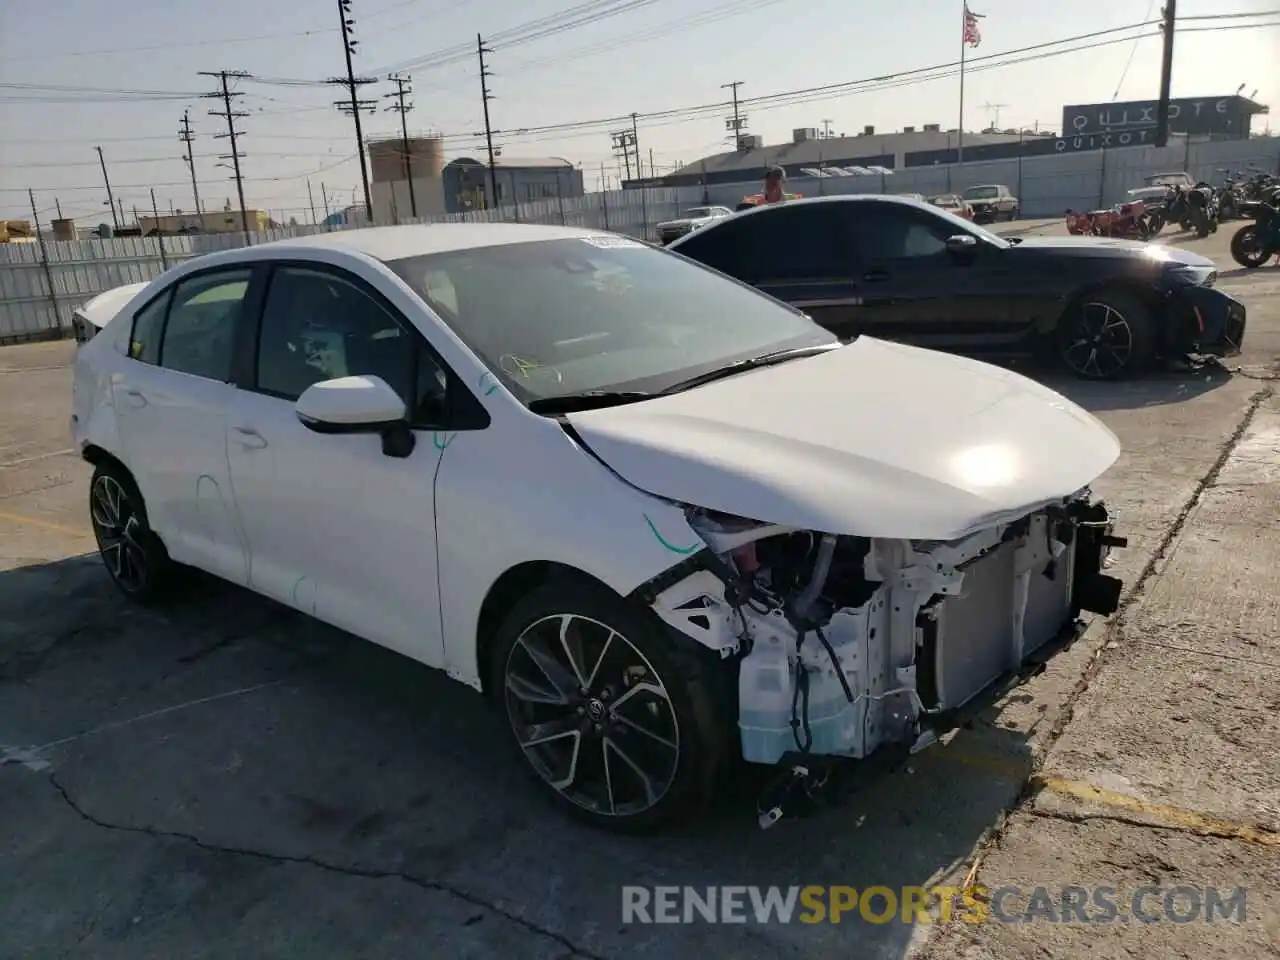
x: 872, y: 440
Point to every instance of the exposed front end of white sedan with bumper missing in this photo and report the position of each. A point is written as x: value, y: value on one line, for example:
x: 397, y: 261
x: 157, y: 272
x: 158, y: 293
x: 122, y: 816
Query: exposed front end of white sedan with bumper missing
x: 844, y: 646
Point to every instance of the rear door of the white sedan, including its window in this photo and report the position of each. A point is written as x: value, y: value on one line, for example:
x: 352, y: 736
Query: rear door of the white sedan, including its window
x: 171, y: 399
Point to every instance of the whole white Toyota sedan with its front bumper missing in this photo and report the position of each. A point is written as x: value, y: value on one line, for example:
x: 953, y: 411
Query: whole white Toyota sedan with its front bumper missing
x: 659, y: 518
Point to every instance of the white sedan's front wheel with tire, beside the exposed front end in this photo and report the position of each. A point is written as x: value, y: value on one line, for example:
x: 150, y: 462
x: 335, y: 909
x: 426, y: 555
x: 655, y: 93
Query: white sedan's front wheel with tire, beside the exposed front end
x: 616, y: 720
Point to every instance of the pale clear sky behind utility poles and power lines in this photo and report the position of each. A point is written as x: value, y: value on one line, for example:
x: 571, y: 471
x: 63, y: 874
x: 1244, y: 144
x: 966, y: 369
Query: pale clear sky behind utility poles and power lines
x: 655, y: 56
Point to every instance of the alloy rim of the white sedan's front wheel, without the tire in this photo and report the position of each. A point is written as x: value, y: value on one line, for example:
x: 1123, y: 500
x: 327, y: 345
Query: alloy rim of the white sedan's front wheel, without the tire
x: 592, y: 715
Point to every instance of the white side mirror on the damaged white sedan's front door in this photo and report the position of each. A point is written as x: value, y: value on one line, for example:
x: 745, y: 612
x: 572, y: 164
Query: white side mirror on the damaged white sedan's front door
x: 358, y: 405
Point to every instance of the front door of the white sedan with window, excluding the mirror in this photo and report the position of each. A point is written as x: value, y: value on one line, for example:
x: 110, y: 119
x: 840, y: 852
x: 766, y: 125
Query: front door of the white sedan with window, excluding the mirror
x: 336, y: 528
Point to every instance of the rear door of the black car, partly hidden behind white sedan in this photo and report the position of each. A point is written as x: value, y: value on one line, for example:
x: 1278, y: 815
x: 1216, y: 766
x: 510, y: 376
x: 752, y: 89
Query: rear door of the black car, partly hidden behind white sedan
x: 794, y: 253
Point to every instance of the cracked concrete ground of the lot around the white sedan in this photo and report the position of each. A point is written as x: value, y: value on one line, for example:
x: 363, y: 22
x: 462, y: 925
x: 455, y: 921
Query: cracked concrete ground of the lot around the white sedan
x: 228, y: 779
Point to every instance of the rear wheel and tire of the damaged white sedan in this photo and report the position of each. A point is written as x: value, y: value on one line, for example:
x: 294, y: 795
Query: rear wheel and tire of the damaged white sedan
x: 134, y: 556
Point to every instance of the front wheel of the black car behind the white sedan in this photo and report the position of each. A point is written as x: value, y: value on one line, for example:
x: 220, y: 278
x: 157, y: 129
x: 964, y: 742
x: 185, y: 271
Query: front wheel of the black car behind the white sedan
x: 1107, y: 337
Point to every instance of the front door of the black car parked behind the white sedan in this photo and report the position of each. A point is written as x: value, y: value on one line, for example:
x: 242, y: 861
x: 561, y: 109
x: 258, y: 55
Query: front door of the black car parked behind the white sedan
x: 913, y: 290
